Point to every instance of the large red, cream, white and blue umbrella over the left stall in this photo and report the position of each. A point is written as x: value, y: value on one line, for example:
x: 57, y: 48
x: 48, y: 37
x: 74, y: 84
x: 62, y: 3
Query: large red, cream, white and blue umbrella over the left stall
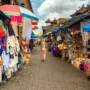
x: 14, y: 10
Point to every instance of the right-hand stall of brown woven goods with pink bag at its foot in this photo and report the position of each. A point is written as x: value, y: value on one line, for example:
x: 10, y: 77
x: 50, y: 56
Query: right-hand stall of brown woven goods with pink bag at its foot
x: 76, y: 54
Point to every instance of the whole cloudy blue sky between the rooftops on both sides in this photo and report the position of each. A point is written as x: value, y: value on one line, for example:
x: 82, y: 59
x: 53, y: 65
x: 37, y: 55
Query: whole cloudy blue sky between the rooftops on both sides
x: 51, y: 9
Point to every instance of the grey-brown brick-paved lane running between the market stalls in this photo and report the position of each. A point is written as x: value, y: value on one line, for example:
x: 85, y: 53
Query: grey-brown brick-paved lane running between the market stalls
x: 54, y: 74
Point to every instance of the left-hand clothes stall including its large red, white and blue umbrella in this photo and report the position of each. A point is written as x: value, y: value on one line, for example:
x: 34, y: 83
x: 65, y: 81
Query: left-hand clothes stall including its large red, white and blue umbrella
x: 13, y: 56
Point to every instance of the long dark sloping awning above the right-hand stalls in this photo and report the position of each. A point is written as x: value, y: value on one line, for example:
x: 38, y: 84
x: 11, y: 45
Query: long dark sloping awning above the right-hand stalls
x: 74, y: 20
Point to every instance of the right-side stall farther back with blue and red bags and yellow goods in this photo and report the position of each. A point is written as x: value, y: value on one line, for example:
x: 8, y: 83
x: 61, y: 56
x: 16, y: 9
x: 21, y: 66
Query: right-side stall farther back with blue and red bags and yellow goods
x: 60, y: 47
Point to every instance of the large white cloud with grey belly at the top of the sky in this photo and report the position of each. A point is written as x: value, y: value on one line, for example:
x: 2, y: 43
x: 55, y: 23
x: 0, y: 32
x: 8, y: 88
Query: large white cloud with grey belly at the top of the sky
x: 60, y: 6
